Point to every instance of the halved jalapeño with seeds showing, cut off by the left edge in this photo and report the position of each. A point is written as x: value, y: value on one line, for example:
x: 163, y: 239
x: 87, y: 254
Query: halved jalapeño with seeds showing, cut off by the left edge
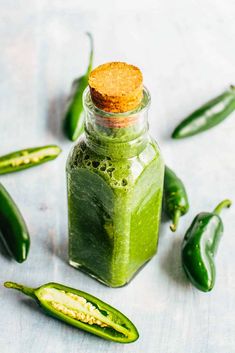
x: 27, y: 158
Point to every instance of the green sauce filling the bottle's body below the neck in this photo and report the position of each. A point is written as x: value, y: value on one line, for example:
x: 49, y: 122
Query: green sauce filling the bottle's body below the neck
x: 114, y: 211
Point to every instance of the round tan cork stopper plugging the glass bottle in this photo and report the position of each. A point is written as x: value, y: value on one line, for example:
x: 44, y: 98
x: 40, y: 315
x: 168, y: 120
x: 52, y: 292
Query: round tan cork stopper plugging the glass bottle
x: 116, y: 87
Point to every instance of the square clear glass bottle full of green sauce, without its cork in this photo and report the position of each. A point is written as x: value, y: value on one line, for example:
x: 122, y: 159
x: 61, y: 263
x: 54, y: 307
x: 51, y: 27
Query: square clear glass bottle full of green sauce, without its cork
x: 115, y: 184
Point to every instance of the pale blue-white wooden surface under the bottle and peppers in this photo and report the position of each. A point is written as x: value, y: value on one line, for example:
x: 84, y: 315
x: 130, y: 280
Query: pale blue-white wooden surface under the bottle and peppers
x: 186, y: 51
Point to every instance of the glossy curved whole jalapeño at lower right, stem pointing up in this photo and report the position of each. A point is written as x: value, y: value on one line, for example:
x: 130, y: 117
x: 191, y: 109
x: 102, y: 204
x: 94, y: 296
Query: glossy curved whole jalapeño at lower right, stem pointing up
x: 200, y: 246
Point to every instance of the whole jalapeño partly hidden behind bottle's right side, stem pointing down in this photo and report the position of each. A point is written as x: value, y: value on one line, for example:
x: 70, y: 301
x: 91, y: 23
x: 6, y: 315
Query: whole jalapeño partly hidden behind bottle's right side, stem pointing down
x: 175, y: 199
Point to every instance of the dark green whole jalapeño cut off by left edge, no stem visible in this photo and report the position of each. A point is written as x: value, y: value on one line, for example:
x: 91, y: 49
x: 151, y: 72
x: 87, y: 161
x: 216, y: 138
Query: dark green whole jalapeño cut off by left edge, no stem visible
x: 13, y: 229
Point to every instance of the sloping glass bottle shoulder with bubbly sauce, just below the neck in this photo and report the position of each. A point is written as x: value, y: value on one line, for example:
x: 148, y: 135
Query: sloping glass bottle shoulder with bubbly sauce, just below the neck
x: 119, y: 173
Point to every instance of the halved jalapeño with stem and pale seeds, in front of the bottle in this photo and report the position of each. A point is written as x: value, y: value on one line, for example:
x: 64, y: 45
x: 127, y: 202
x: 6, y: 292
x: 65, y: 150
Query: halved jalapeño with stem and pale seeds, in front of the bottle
x: 81, y: 310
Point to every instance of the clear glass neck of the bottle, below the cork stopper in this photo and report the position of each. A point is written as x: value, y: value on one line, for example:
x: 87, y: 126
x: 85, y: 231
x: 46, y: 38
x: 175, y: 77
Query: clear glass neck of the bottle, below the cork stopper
x: 117, y: 135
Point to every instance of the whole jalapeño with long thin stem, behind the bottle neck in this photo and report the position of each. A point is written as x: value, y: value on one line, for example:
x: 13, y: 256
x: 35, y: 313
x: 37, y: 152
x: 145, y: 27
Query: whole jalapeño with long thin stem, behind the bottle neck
x: 74, y: 115
